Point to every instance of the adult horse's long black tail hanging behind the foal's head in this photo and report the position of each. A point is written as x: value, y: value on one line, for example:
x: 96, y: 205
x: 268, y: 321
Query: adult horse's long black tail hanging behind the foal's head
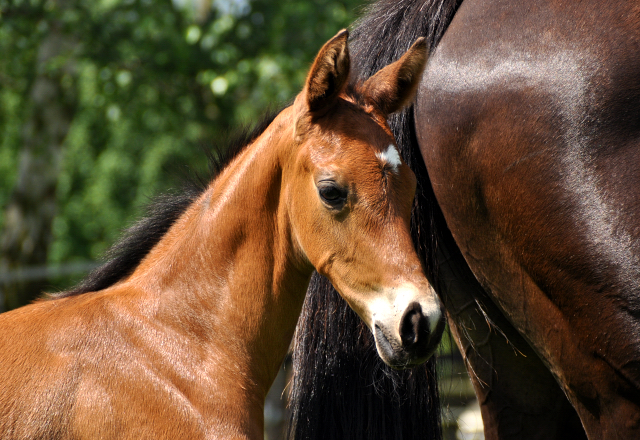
x: 341, y: 389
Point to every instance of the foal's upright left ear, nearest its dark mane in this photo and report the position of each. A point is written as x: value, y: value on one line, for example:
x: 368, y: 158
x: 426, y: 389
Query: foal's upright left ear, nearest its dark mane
x: 329, y: 73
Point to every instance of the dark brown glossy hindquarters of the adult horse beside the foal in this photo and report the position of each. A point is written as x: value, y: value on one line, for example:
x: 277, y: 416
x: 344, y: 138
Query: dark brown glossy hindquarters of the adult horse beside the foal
x: 528, y: 122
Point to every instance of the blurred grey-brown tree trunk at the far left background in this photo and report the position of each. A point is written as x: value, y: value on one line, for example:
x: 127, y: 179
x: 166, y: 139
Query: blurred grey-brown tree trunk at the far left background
x: 31, y: 206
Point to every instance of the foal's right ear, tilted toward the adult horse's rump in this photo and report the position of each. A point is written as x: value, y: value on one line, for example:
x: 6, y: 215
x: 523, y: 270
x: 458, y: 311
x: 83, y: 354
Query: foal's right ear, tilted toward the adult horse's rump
x: 394, y: 86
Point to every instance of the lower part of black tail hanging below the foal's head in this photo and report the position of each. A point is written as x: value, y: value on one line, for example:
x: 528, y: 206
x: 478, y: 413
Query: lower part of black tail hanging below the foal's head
x: 342, y: 389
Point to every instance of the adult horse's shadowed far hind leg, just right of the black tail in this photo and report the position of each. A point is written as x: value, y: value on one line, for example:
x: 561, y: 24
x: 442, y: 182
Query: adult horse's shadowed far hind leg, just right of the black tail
x: 518, y: 396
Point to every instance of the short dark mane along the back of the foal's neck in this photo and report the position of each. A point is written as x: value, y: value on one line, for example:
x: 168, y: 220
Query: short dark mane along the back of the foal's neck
x: 138, y: 240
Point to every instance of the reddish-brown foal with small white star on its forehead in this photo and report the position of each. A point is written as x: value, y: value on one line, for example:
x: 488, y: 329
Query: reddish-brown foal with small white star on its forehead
x: 188, y: 343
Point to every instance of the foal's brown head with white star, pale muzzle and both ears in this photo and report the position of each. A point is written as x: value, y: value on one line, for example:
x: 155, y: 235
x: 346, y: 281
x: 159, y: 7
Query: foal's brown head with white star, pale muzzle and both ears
x: 350, y: 197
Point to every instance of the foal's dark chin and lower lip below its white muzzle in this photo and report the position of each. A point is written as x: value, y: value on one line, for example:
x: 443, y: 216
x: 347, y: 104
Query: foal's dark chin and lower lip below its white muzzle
x: 398, y: 357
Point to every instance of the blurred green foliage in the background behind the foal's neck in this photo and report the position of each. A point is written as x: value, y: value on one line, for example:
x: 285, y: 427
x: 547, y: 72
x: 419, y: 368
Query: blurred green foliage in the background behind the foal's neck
x: 150, y: 81
